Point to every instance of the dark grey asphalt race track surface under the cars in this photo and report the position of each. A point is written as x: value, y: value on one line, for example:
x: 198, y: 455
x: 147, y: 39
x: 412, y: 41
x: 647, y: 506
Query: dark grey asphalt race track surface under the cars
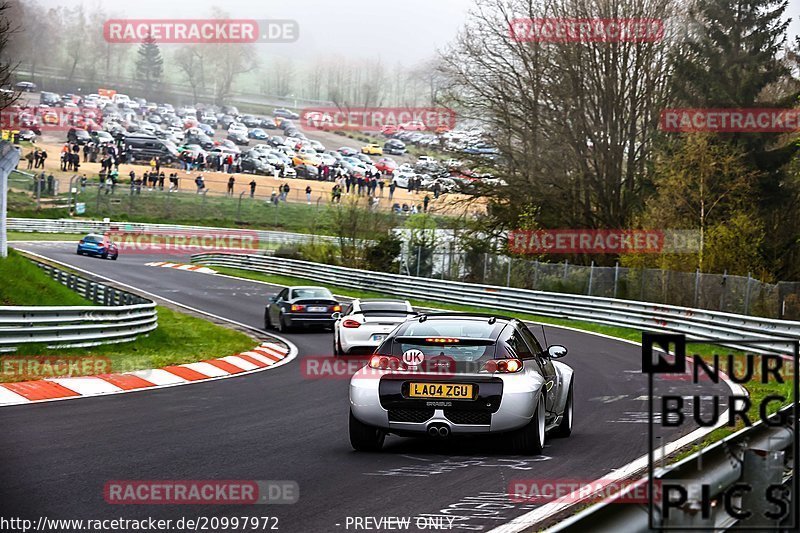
x: 56, y: 457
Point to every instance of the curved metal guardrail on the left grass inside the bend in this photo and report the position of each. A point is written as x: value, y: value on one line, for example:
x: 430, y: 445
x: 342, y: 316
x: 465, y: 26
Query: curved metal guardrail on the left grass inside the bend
x: 120, y: 316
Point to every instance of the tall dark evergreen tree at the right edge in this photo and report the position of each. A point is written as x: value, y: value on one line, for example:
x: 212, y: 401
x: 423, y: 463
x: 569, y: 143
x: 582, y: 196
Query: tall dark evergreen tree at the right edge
x: 737, y: 60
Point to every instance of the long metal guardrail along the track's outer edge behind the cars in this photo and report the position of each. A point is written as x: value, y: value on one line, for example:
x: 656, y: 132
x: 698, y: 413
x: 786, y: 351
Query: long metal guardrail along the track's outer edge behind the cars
x: 696, y: 324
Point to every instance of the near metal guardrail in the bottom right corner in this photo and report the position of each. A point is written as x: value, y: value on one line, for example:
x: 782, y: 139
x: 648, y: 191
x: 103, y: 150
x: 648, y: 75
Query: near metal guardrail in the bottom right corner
x: 758, y: 457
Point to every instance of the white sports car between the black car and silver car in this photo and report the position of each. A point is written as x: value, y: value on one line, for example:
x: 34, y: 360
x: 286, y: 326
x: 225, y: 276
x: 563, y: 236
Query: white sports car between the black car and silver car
x: 365, y: 323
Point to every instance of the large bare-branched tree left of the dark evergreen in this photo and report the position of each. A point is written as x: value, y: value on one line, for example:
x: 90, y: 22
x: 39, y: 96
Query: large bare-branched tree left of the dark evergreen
x: 575, y: 123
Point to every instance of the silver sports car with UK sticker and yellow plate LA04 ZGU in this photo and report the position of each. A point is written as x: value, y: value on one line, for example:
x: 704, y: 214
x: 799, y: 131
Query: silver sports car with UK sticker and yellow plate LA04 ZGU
x: 449, y: 374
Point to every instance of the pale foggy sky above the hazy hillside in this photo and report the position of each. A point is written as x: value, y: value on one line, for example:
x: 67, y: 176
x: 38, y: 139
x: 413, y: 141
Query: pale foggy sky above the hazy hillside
x: 397, y: 31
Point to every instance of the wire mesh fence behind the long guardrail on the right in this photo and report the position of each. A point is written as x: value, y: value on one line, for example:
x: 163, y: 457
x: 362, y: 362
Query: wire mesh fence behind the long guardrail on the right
x: 716, y: 292
